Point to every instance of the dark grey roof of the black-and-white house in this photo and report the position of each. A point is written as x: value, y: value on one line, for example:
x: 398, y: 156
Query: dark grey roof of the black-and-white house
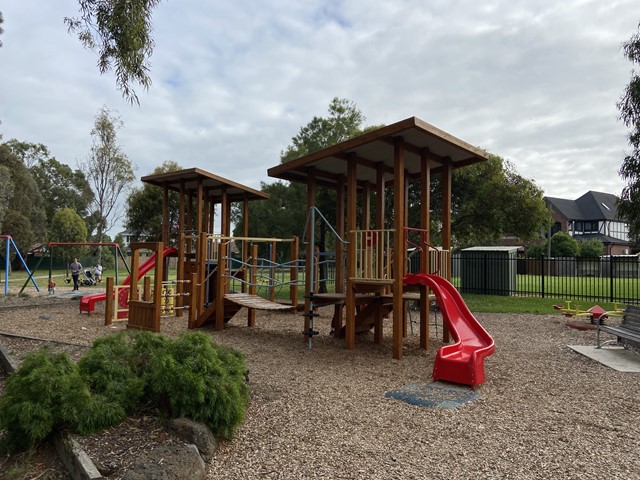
x: 590, y: 206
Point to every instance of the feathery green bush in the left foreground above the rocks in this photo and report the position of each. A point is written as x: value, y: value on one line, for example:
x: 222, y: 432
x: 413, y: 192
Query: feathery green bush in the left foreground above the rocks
x: 189, y: 377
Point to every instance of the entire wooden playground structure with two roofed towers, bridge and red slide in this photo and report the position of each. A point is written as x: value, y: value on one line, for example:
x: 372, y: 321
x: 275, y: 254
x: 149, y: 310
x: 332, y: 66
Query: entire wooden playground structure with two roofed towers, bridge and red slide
x: 371, y: 260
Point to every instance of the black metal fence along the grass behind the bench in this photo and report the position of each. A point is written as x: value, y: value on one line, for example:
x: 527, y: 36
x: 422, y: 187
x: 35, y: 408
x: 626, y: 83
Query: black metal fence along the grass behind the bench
x: 610, y: 278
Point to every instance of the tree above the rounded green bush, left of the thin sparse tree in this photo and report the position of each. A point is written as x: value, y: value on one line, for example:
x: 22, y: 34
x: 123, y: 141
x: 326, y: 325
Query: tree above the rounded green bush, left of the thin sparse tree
x: 62, y: 187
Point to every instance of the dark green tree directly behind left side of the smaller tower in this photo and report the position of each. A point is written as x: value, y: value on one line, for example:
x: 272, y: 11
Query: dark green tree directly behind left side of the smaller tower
x: 144, y: 209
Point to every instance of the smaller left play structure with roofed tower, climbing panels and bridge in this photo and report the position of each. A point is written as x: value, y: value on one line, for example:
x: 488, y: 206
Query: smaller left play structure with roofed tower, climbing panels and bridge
x: 208, y: 268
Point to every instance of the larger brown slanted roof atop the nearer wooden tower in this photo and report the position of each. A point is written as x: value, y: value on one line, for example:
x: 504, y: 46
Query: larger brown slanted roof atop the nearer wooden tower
x: 377, y: 147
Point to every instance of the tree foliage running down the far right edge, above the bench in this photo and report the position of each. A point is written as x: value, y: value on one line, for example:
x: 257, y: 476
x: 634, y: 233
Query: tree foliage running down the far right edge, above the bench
x: 629, y: 107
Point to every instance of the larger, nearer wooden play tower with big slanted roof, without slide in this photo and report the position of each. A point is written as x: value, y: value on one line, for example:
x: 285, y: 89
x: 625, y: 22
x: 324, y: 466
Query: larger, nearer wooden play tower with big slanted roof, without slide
x: 375, y: 256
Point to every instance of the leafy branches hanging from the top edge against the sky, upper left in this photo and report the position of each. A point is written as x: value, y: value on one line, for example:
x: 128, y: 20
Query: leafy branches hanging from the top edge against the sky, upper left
x: 120, y: 30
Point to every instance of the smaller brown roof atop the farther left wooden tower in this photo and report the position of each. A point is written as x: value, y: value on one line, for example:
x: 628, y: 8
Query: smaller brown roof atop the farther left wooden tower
x: 212, y: 184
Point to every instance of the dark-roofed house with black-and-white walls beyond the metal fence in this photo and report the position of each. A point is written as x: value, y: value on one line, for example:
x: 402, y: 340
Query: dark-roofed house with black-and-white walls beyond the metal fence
x: 592, y: 216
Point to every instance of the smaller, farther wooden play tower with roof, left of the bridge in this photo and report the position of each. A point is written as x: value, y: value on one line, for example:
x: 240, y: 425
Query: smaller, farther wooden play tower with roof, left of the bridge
x: 203, y: 244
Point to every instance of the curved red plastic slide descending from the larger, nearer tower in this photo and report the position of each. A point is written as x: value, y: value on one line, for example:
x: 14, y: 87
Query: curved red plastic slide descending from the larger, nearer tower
x: 463, y: 361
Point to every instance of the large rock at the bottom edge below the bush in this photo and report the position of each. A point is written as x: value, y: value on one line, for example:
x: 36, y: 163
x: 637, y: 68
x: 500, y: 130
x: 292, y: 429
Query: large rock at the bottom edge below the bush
x: 174, y: 462
